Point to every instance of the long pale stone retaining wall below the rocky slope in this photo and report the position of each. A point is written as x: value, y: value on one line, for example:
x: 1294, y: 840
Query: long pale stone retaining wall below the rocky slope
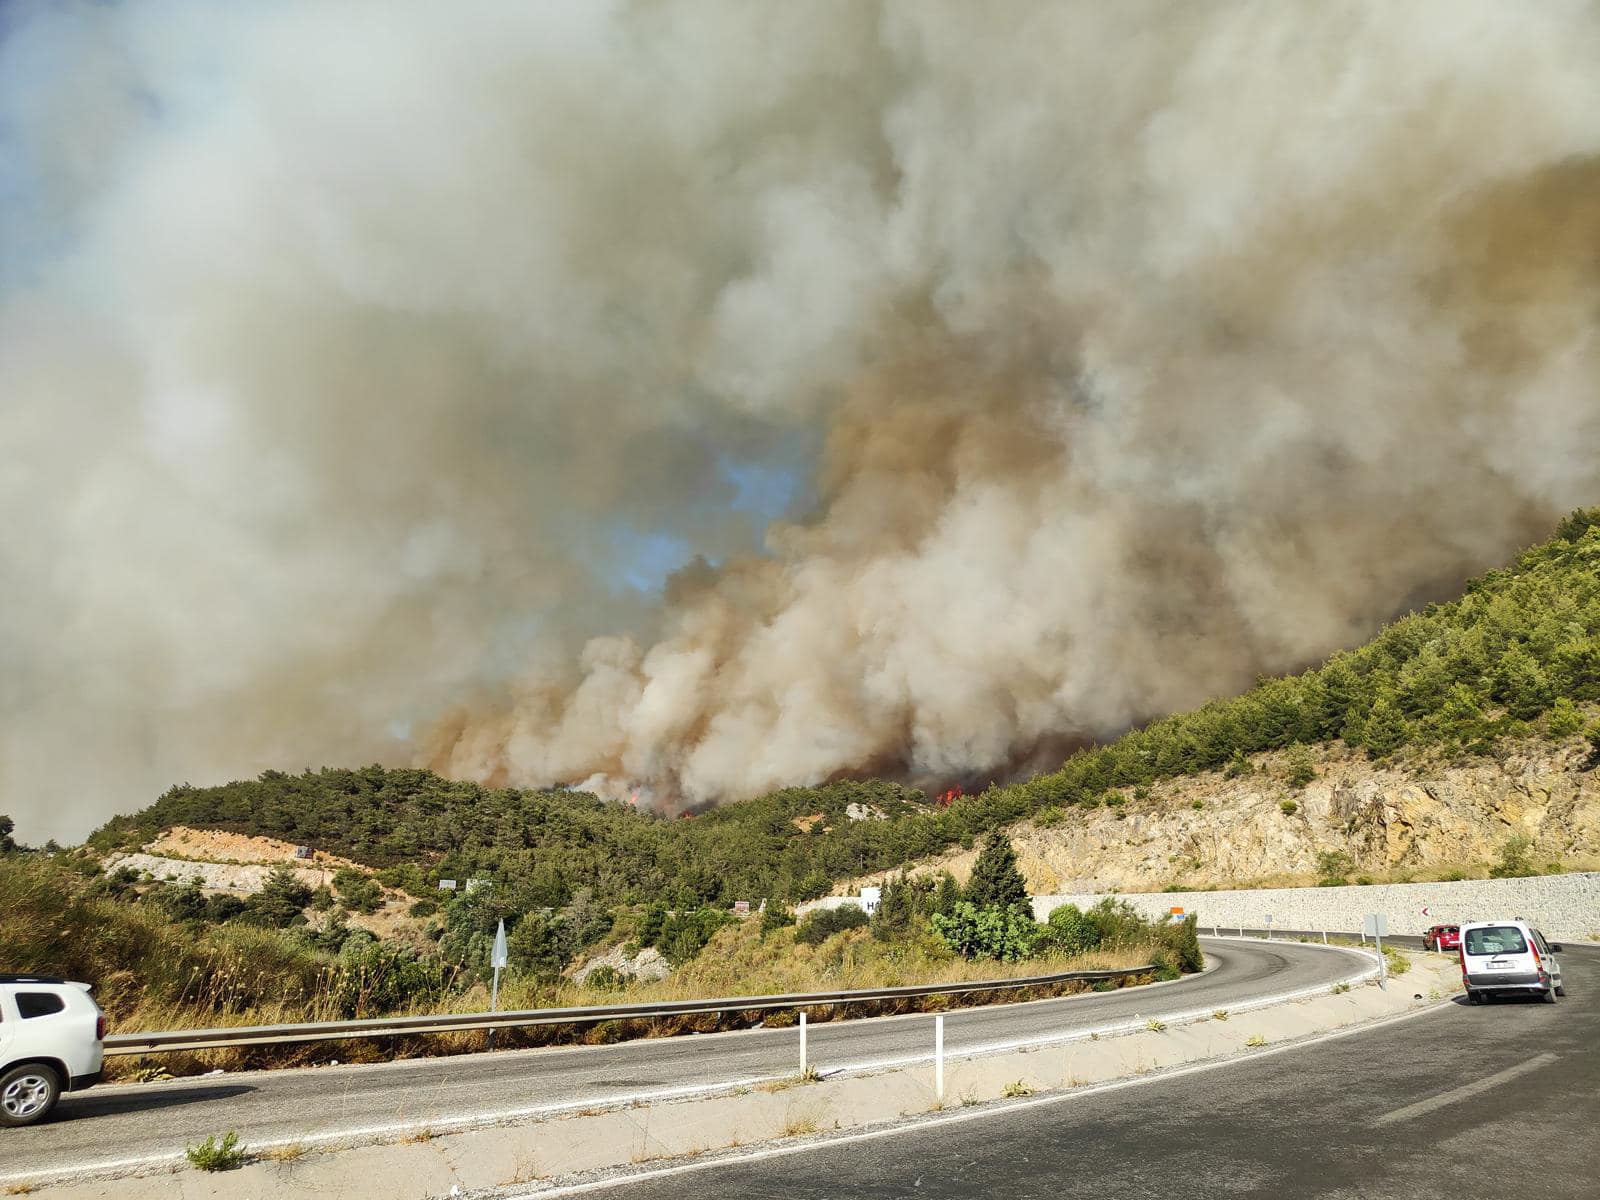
x: 1561, y: 906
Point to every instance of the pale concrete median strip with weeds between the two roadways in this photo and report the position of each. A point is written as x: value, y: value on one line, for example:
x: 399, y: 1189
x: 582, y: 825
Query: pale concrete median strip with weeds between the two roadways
x: 556, y: 1148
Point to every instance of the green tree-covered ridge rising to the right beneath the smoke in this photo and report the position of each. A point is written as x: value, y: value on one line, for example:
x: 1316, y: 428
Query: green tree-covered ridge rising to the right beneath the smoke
x: 1516, y: 655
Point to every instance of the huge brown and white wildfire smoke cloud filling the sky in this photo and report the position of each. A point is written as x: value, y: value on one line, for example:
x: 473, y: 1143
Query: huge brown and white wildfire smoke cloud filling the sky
x: 996, y: 377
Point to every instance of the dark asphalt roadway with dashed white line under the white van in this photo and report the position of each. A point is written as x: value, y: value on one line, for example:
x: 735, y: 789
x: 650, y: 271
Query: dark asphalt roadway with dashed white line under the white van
x: 1457, y: 1105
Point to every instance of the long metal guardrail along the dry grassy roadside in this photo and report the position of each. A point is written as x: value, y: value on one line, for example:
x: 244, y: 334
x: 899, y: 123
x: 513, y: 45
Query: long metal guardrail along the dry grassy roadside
x: 454, y: 1023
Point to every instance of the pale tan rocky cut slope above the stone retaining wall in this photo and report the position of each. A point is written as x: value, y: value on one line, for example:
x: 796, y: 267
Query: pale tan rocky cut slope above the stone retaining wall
x: 1417, y: 818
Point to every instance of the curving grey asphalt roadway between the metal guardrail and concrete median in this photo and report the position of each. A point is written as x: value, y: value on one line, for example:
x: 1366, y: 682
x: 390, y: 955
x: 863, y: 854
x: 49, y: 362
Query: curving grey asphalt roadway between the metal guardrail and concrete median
x: 121, y: 1124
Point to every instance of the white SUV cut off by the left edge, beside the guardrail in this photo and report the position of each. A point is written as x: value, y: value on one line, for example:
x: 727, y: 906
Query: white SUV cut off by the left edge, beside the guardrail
x: 52, y: 1041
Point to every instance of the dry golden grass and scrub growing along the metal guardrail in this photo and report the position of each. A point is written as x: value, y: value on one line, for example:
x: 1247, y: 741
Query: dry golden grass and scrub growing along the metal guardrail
x: 153, y: 975
